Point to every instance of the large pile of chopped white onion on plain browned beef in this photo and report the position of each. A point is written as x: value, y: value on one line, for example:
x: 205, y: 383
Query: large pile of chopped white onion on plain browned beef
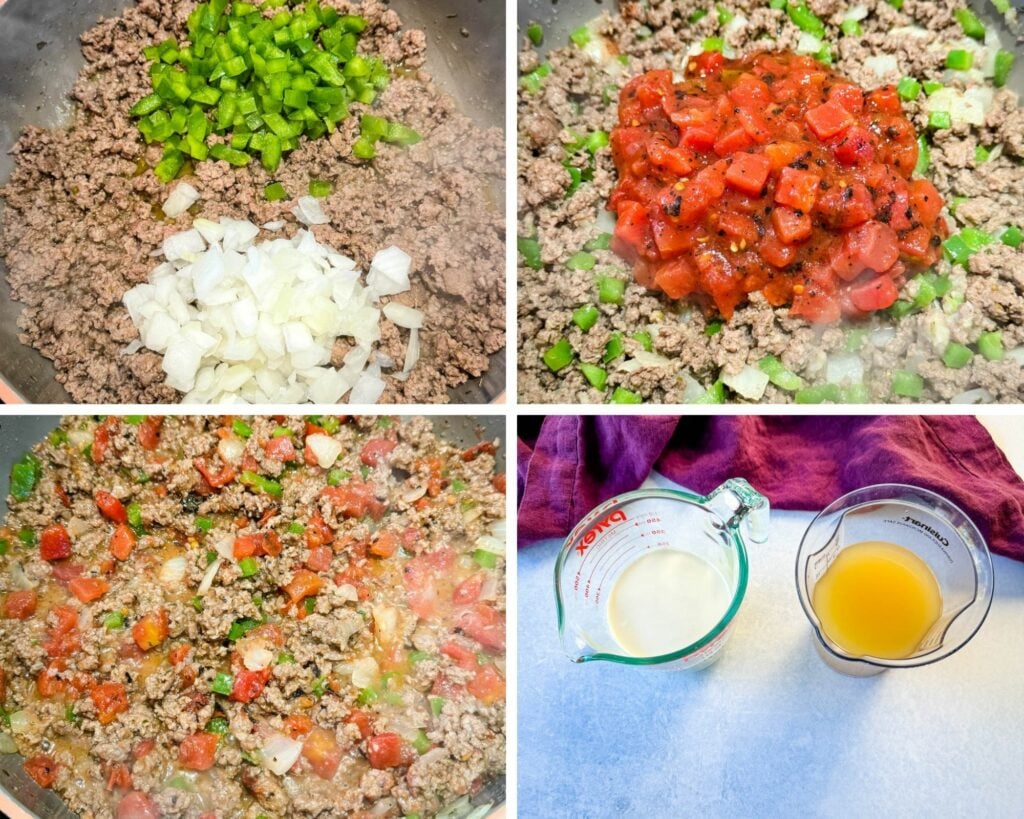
x: 240, y: 321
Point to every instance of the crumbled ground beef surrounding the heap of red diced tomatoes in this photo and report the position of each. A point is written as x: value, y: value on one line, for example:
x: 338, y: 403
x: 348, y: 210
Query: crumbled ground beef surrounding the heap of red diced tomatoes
x: 580, y: 96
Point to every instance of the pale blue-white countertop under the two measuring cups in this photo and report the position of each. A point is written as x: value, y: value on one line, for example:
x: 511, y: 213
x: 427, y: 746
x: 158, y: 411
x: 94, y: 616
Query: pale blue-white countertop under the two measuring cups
x: 770, y: 730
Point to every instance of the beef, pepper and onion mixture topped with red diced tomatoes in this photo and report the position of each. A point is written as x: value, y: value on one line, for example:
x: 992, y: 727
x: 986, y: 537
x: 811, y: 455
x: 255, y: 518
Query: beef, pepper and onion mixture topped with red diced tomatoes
x: 776, y: 201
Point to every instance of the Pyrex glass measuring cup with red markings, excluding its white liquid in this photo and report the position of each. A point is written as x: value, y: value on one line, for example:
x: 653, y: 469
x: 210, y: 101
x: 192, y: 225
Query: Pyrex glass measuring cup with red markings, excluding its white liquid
x: 629, y: 527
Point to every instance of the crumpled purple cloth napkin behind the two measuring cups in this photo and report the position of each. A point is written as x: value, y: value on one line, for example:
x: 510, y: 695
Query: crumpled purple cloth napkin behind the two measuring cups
x: 576, y: 463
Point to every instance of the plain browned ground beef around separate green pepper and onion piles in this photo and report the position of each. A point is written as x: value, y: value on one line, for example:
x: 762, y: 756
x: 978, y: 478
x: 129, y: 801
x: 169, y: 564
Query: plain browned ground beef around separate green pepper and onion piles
x: 82, y: 214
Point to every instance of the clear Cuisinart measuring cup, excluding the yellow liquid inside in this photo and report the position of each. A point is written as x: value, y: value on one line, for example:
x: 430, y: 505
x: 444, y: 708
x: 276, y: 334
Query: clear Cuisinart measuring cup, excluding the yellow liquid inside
x: 936, y: 531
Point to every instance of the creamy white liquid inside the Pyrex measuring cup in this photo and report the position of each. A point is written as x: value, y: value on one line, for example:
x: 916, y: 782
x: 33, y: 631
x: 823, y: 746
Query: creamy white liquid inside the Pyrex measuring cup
x: 665, y: 601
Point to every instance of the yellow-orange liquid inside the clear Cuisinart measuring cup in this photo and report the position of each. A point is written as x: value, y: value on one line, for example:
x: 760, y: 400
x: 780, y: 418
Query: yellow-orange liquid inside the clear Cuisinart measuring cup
x: 878, y: 599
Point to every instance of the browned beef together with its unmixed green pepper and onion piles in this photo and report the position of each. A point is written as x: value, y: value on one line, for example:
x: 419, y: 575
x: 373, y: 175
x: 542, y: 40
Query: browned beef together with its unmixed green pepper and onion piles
x: 208, y: 135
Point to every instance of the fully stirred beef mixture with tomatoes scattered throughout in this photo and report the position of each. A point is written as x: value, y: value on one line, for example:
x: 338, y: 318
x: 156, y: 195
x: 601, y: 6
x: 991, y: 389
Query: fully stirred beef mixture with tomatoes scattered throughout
x: 254, y: 618
